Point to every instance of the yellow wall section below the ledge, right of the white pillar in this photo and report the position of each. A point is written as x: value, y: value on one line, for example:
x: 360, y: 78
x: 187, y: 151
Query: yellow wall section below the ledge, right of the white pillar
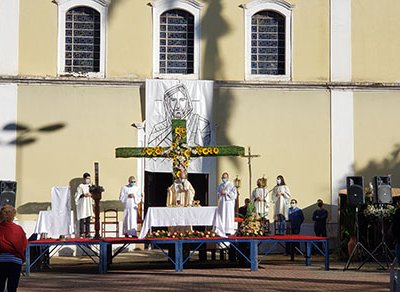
x: 376, y: 138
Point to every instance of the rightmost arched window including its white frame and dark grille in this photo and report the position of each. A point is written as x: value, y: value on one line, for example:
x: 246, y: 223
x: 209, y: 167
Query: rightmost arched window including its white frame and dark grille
x: 268, y: 37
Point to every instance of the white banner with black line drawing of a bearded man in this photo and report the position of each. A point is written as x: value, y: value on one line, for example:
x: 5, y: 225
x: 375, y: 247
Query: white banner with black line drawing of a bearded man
x: 190, y: 100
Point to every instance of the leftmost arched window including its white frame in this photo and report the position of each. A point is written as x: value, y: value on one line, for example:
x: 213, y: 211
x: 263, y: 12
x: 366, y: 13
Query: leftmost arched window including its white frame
x: 82, y: 28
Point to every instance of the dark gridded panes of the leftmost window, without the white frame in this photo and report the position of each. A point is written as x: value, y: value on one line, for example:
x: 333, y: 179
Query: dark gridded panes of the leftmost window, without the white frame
x: 82, y: 40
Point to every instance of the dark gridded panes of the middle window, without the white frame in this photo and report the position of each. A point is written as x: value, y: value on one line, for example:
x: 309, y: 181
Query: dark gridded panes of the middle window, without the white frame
x: 176, y: 42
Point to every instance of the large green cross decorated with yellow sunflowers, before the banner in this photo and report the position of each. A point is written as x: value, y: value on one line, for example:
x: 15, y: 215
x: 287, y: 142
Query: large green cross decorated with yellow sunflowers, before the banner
x: 179, y: 152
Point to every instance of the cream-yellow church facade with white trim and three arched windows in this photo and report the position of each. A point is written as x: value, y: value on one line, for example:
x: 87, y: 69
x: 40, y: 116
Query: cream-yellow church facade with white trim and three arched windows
x: 310, y: 85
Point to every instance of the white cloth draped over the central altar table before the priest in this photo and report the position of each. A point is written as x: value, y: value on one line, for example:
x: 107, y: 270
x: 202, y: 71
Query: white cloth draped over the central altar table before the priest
x: 182, y: 216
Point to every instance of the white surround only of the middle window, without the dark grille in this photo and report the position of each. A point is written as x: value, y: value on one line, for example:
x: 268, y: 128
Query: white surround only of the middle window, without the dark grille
x: 161, y: 6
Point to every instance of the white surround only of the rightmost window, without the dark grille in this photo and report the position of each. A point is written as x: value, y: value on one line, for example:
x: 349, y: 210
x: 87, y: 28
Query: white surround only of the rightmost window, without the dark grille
x: 283, y: 8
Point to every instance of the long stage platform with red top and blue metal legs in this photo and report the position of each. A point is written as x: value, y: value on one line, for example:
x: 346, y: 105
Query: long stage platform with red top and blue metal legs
x: 102, y: 255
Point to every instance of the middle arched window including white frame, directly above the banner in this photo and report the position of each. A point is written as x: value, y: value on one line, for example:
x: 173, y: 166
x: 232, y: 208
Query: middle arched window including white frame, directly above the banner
x: 176, y: 39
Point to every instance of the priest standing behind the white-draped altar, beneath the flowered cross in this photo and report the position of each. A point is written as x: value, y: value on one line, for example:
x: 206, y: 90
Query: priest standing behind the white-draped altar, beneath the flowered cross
x: 181, y: 192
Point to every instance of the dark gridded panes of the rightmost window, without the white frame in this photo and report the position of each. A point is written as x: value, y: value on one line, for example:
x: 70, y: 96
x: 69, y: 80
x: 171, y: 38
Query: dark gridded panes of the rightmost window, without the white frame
x: 268, y: 43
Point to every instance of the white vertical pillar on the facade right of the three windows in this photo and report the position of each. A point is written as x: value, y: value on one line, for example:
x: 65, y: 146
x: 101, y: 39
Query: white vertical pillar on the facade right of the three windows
x: 342, y: 114
